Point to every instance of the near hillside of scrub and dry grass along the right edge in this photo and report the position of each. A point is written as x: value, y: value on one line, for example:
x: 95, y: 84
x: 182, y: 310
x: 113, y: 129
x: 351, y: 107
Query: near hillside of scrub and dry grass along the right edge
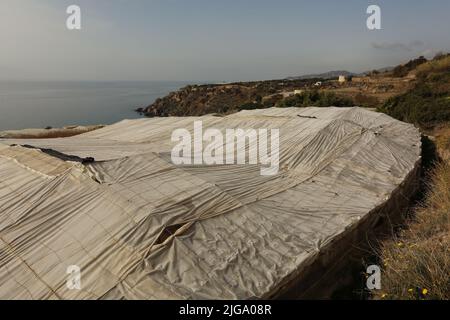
x: 416, y: 260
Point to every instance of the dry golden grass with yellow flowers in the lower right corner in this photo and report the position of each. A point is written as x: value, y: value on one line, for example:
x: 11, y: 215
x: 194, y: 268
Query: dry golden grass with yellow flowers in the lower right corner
x: 417, y: 261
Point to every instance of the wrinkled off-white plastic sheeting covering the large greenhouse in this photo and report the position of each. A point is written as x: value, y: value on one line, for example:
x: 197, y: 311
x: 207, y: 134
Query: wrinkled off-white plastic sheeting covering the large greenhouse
x: 140, y: 227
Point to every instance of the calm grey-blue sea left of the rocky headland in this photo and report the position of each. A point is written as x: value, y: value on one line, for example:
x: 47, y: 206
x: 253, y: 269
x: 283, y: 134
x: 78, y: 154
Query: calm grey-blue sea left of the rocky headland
x: 56, y: 104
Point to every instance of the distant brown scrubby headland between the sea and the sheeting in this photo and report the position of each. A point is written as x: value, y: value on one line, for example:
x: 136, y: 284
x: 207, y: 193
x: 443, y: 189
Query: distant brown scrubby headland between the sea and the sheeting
x: 367, y: 91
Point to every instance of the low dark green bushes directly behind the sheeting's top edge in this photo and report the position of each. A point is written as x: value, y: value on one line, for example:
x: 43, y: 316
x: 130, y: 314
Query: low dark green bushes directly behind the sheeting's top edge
x: 315, y: 98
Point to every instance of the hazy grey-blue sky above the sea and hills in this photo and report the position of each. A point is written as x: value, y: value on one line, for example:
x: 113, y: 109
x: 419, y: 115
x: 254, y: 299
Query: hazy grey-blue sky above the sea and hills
x: 212, y: 40
